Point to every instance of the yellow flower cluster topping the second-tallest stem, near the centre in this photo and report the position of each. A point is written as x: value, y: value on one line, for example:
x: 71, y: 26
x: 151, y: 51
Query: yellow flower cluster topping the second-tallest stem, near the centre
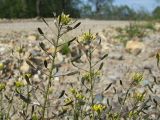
x: 87, y: 36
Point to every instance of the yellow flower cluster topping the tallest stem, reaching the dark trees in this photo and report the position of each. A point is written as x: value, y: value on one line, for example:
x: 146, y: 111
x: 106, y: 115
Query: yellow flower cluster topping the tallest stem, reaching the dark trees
x: 65, y: 19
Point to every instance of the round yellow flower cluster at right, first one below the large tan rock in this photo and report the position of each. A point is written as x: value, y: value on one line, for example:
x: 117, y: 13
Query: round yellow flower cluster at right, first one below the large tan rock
x: 137, y: 77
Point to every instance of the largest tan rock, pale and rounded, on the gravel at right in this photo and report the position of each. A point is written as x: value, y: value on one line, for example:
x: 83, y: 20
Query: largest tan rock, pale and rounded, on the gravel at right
x: 134, y: 47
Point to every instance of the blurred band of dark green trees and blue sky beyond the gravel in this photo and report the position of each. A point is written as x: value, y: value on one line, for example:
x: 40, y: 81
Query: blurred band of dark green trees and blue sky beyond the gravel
x: 93, y: 9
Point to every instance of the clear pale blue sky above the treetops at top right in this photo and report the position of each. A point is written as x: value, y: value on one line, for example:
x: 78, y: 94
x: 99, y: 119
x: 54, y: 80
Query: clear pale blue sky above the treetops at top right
x: 148, y: 5
